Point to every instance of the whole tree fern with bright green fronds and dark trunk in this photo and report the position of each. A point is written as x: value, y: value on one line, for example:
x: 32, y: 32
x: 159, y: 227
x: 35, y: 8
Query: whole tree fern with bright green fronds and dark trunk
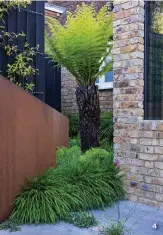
x: 82, y: 45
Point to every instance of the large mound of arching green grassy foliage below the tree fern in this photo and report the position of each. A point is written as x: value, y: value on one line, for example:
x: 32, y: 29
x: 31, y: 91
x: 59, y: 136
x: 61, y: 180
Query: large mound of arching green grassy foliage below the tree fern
x: 83, y: 182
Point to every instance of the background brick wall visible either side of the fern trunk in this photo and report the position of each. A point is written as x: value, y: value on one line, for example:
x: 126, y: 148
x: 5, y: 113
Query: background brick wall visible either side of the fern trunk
x: 69, y: 99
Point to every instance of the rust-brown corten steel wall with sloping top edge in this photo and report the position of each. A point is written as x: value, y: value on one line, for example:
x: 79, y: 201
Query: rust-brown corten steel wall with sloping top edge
x: 30, y: 132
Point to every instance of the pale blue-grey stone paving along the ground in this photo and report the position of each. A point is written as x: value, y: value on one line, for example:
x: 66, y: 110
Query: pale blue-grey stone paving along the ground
x: 140, y: 217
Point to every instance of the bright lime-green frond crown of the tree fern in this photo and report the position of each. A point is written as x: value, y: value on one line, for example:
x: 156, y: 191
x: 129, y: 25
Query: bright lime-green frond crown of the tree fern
x: 81, y: 45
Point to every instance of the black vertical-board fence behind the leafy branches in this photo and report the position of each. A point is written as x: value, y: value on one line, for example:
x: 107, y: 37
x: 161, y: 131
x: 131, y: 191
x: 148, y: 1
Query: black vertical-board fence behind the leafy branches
x: 31, y: 21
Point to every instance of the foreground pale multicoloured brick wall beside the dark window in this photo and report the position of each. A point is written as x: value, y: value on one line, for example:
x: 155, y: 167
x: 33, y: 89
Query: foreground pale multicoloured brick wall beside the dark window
x: 138, y: 143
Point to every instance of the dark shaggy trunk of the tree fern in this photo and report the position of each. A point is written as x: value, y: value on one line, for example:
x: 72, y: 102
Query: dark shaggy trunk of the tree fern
x: 89, y: 114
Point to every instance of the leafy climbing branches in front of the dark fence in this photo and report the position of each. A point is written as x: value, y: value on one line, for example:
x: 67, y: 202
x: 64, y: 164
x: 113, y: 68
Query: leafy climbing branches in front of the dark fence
x: 21, y: 68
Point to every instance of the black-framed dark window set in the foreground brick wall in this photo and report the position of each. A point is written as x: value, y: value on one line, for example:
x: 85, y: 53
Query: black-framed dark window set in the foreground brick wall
x: 148, y: 66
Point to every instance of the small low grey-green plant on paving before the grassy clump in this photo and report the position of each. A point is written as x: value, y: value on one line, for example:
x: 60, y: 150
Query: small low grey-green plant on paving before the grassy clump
x: 82, y: 219
